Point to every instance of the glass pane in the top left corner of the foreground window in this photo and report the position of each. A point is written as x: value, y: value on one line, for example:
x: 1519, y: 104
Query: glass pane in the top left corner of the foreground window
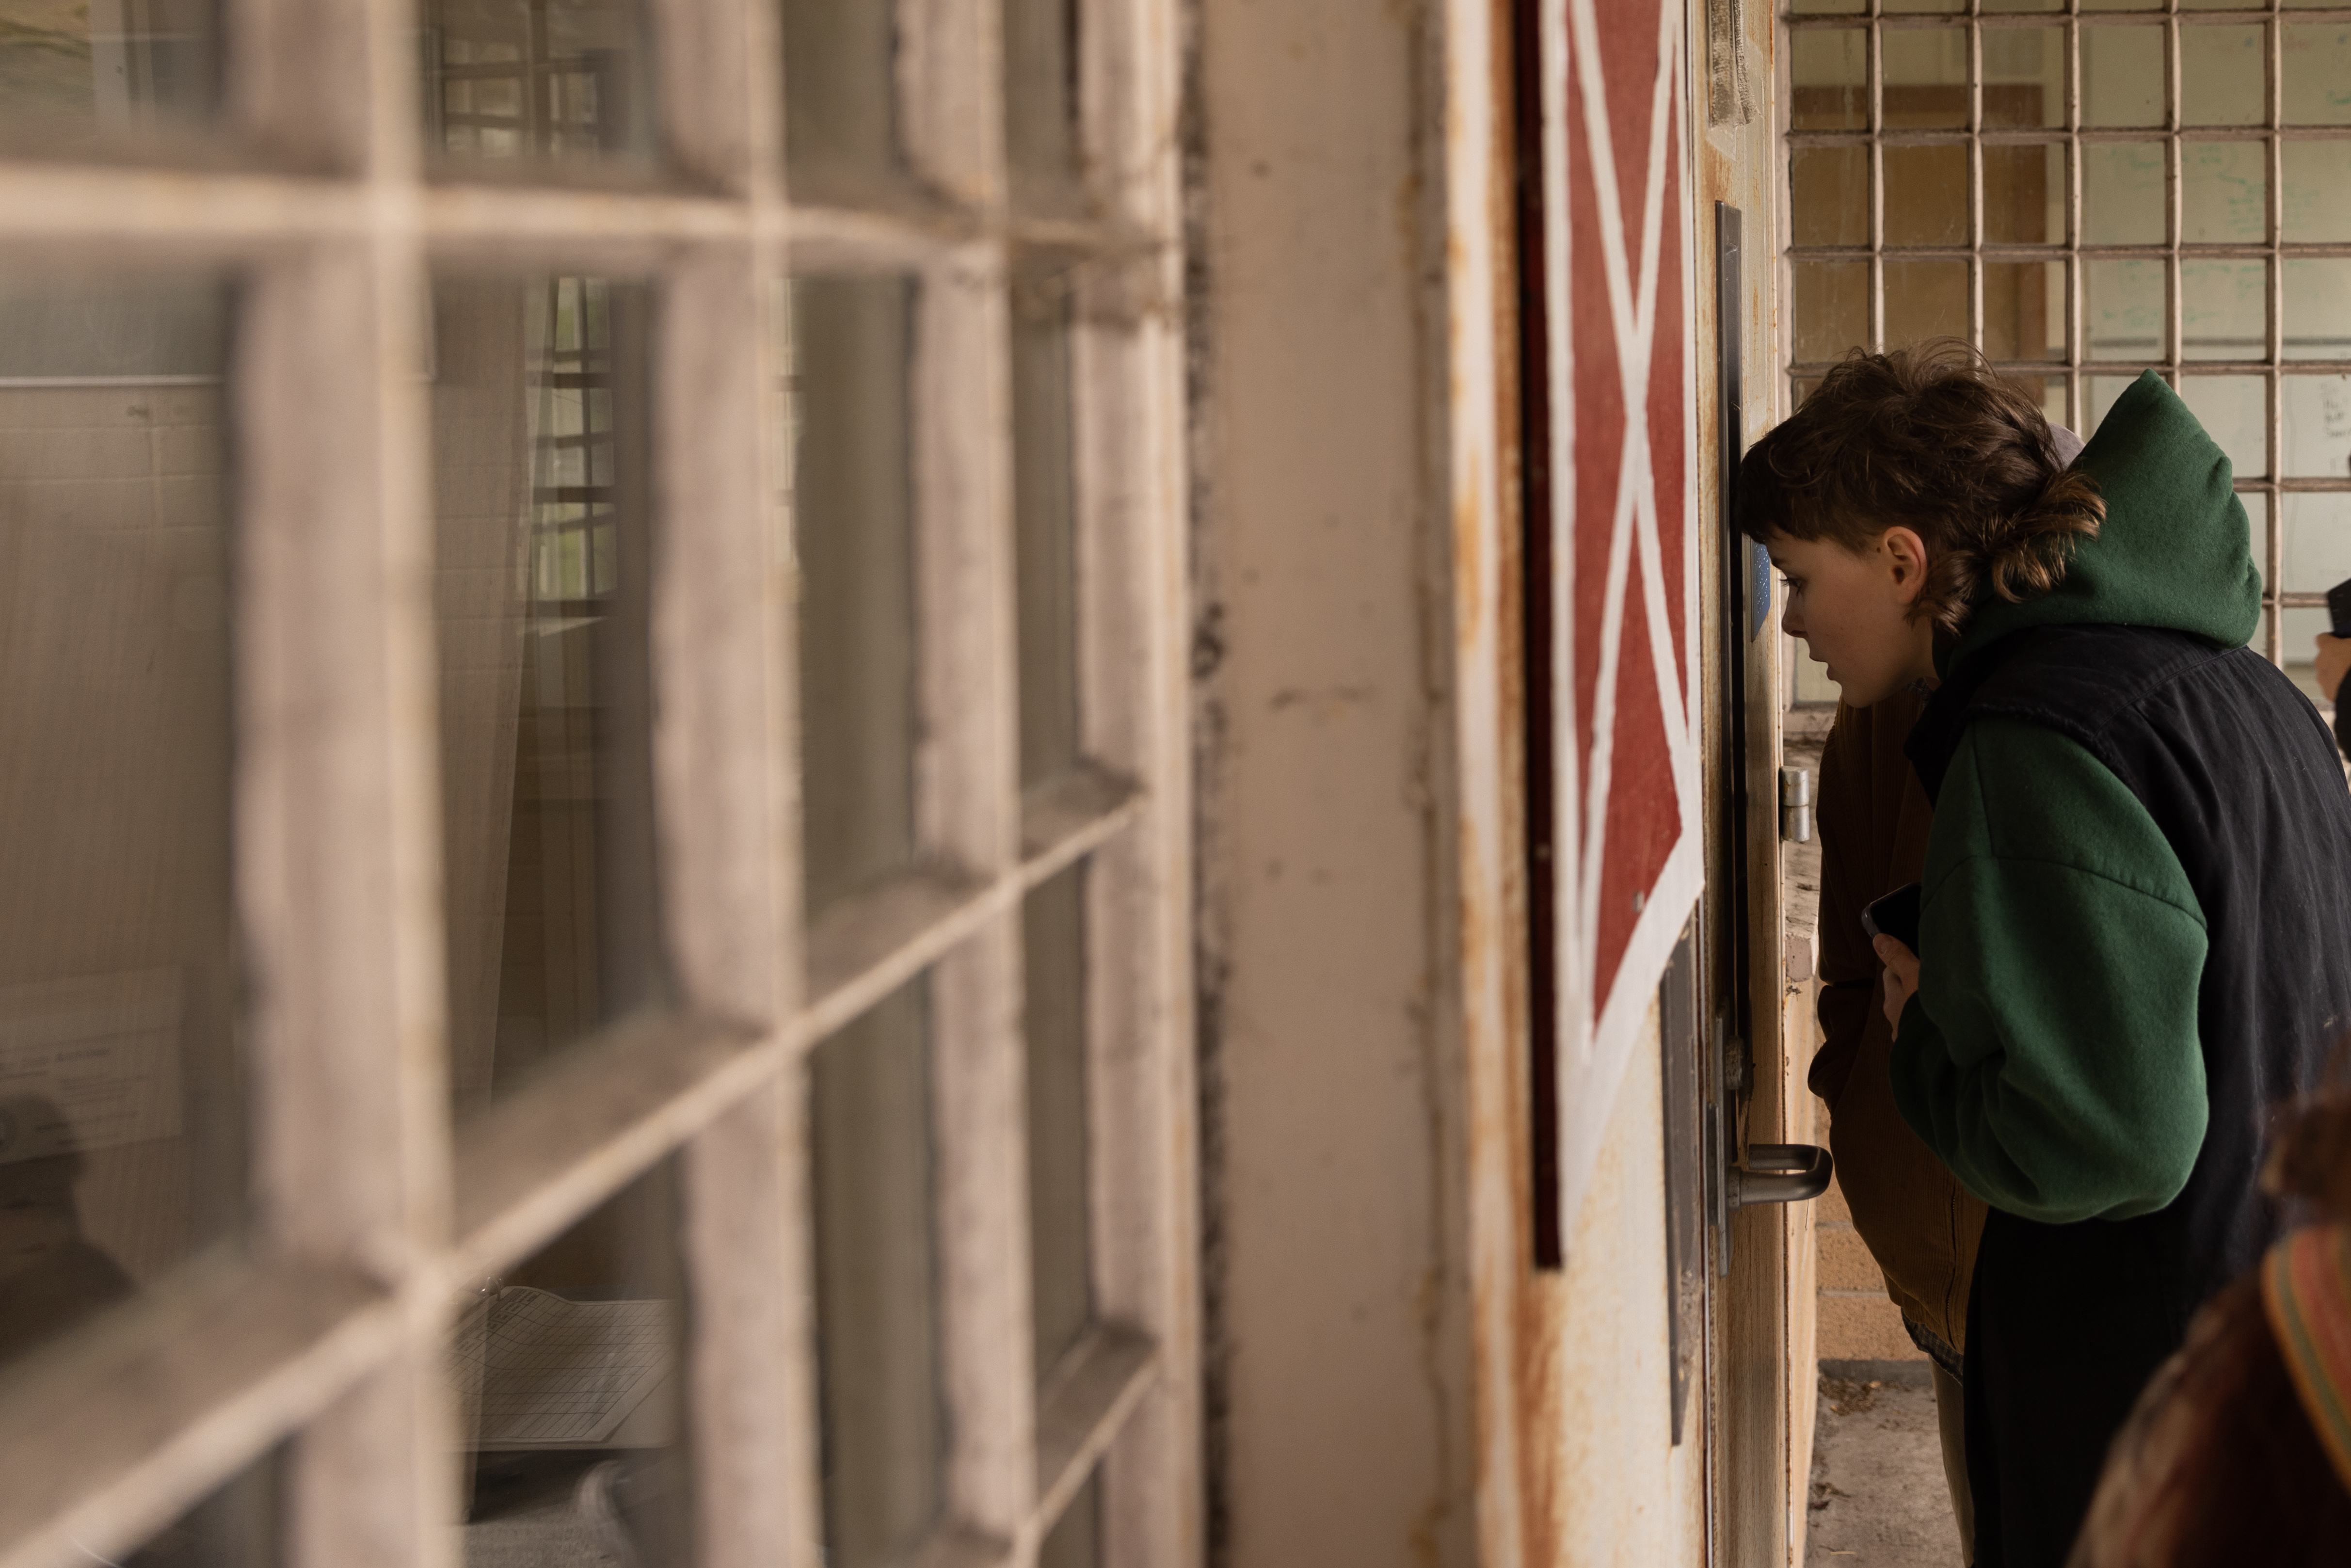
x: 76, y: 72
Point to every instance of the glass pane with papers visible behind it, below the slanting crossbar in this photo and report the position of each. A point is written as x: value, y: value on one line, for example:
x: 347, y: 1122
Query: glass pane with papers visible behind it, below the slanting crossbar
x: 570, y: 1388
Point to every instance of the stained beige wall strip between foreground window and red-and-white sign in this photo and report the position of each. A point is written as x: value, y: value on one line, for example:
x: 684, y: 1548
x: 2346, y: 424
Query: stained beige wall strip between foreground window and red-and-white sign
x: 1339, y: 1405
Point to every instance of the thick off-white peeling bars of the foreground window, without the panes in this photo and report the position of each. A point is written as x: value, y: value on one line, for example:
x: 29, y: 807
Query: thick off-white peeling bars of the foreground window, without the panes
x: 368, y: 1212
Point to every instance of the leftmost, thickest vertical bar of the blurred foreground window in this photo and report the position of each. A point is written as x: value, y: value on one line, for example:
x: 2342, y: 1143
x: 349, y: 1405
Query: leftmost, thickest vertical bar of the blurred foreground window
x: 337, y: 812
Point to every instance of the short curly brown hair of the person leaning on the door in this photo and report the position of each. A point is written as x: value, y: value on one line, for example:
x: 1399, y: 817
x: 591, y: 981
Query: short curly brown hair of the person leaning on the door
x: 1936, y: 441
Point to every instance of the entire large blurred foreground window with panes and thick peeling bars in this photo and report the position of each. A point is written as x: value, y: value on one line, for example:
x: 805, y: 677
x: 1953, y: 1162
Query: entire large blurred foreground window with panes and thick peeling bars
x: 840, y: 763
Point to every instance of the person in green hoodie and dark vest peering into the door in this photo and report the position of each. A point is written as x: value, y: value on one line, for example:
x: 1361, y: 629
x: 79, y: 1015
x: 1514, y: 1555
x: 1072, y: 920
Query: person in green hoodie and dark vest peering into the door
x: 2136, y: 887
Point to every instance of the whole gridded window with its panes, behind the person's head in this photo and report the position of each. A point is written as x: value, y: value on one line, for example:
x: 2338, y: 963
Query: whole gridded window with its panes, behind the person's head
x: 2089, y: 192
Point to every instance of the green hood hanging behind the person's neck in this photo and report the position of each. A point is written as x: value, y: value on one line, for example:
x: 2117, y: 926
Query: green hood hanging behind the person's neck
x: 2176, y: 549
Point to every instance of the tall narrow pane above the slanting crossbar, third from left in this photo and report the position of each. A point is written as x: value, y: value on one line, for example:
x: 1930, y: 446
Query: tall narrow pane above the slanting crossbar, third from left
x: 852, y: 507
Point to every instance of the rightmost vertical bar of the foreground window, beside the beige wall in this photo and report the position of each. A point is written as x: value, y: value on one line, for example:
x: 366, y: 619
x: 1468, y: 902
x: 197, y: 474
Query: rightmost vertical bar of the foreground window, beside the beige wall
x: 1134, y: 706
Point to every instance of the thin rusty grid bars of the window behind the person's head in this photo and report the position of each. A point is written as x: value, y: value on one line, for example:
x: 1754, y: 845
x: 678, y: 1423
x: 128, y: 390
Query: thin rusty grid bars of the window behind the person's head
x: 2077, y: 368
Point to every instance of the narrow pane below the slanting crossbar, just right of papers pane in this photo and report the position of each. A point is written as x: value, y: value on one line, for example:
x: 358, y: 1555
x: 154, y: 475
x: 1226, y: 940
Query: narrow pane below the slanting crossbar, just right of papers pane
x: 878, y: 1282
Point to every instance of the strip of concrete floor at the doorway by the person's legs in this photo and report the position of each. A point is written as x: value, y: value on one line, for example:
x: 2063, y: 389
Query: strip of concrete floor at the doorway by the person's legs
x: 1880, y: 1499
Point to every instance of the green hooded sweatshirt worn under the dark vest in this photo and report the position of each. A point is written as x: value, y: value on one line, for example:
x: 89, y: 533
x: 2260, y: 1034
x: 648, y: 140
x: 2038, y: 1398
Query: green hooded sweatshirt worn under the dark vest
x: 2051, y: 1054
